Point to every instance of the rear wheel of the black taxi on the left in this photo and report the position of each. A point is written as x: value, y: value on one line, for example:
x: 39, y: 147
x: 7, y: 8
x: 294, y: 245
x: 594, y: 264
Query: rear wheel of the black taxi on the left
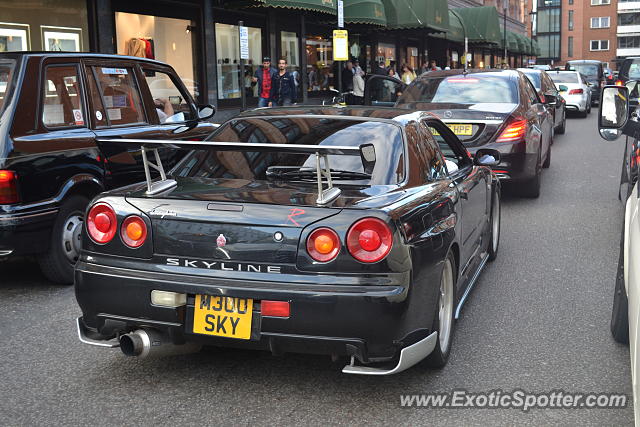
x: 57, y: 264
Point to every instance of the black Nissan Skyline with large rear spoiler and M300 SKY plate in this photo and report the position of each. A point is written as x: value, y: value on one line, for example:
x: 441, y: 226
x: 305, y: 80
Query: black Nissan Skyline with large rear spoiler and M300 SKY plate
x: 354, y: 232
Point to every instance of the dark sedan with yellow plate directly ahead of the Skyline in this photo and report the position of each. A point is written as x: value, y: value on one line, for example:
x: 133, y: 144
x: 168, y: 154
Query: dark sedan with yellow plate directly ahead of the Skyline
x: 498, y: 109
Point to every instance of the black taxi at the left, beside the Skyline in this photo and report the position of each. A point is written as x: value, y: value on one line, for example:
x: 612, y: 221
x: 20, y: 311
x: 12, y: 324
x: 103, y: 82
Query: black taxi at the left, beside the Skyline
x: 53, y: 110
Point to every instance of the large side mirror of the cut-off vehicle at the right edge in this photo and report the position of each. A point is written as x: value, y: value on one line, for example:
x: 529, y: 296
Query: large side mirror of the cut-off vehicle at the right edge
x: 614, y: 111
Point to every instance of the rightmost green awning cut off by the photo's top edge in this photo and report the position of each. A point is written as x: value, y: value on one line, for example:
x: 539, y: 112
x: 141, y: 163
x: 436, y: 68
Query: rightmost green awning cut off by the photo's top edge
x: 431, y: 14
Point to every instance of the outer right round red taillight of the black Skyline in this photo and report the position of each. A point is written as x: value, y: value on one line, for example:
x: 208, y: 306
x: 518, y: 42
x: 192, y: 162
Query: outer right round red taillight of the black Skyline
x: 369, y: 240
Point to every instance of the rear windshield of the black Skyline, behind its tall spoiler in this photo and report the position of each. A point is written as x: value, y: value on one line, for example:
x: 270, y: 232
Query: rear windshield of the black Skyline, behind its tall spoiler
x: 386, y: 138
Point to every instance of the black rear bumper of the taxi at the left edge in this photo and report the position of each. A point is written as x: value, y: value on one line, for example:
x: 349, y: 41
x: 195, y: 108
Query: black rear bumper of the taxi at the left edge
x: 26, y: 231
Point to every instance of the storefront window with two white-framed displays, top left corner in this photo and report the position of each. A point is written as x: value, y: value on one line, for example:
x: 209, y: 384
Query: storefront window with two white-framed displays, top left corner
x: 48, y: 25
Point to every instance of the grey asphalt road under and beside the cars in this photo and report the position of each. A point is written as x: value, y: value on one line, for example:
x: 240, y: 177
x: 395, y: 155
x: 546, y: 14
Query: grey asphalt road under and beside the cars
x: 538, y: 320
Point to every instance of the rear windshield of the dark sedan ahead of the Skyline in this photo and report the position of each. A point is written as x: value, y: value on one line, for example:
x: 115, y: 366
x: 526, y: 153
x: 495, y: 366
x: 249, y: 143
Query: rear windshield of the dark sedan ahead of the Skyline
x: 460, y: 89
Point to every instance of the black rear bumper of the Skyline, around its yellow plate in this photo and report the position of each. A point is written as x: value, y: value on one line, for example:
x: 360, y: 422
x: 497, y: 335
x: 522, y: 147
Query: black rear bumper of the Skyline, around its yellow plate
x: 371, y: 323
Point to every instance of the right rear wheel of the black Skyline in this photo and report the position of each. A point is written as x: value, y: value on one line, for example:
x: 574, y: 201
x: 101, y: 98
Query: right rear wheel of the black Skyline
x: 444, y: 322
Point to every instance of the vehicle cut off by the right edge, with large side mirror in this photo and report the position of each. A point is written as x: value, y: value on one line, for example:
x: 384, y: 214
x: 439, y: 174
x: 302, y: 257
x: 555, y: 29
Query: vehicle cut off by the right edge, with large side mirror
x: 614, y: 120
